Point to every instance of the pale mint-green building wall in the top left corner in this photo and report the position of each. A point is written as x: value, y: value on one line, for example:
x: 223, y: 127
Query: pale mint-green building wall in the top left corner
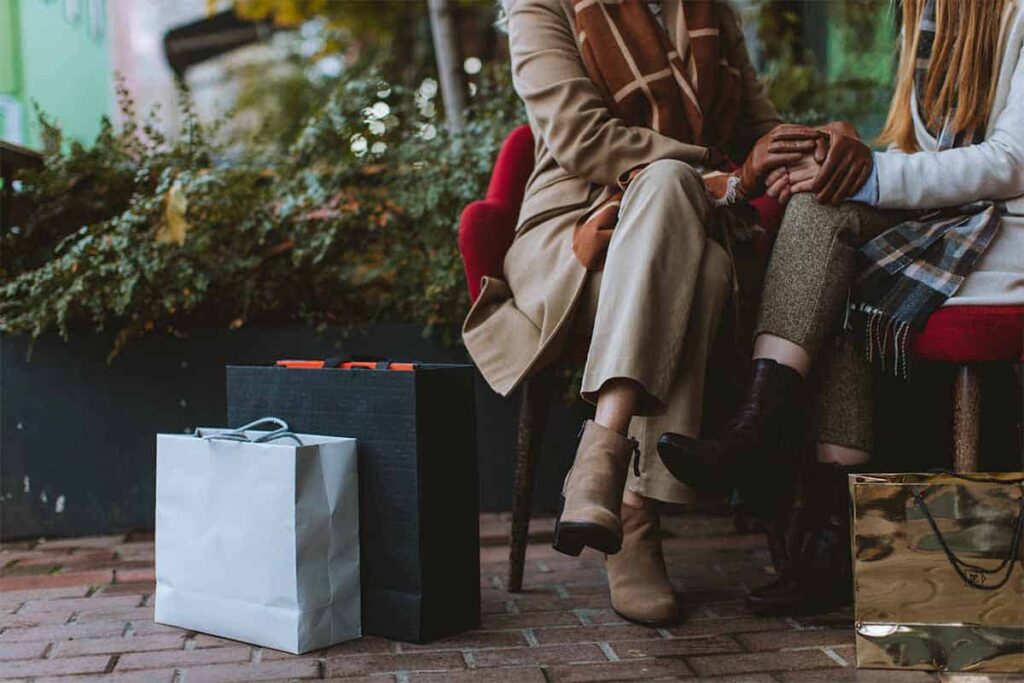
x: 57, y: 55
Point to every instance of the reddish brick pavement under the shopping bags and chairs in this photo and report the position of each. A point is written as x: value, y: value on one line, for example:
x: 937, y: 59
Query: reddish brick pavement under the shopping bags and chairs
x: 81, y: 610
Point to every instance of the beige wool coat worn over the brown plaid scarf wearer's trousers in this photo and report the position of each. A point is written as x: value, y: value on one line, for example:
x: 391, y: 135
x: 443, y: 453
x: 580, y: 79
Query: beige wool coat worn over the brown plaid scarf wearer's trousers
x: 521, y: 323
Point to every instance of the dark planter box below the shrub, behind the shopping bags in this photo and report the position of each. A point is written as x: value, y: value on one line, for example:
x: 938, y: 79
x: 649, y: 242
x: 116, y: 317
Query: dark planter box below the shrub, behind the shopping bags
x: 78, y: 437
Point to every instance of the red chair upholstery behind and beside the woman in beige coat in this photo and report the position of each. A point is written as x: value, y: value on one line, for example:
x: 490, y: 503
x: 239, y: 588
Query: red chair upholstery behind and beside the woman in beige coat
x: 488, y: 226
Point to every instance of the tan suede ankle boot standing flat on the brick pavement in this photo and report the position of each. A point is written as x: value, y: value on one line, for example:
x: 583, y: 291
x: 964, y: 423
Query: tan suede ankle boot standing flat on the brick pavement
x: 637, y: 578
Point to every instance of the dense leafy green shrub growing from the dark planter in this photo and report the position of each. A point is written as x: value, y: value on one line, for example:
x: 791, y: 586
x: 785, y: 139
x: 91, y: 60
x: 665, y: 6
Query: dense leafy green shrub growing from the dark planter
x: 355, y: 222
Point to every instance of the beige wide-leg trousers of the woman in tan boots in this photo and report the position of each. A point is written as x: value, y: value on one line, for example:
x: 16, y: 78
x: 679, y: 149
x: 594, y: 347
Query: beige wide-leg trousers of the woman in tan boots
x: 654, y: 312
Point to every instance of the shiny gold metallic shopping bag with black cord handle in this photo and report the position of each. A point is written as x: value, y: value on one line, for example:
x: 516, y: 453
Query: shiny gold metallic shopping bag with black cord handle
x: 938, y: 564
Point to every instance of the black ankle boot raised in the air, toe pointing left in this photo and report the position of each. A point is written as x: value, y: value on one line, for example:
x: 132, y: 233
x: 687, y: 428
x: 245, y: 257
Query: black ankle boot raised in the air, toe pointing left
x: 751, y: 454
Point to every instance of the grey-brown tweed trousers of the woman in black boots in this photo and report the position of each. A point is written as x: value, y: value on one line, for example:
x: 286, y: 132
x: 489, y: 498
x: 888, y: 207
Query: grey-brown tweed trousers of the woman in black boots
x: 805, y: 298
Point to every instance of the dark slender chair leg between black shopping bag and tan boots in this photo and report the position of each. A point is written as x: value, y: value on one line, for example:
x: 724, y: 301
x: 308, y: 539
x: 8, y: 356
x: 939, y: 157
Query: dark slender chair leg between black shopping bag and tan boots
x: 533, y: 420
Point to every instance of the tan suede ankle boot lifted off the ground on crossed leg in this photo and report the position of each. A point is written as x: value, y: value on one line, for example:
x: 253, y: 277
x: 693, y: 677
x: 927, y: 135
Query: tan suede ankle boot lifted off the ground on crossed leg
x: 593, y: 493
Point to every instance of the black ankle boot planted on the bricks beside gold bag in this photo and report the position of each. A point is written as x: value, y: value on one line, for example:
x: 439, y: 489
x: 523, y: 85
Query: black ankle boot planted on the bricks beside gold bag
x: 819, y: 578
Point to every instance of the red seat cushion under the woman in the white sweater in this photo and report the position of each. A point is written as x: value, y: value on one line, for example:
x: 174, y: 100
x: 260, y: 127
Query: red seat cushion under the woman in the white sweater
x: 973, y: 334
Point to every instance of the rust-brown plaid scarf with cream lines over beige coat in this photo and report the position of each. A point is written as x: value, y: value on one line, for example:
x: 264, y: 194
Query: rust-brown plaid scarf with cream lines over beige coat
x: 693, y: 98
